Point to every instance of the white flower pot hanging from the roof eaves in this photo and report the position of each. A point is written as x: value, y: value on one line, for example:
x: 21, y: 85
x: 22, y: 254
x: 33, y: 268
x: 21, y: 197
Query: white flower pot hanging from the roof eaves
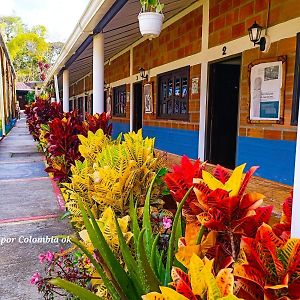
x: 150, y: 24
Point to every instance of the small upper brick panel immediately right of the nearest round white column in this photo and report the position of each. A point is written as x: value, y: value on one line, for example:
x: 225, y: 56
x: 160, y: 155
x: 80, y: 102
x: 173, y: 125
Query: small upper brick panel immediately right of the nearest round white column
x: 118, y: 68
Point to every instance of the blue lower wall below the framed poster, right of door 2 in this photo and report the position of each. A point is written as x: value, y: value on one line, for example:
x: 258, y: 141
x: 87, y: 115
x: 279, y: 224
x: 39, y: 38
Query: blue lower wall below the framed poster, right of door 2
x: 275, y: 158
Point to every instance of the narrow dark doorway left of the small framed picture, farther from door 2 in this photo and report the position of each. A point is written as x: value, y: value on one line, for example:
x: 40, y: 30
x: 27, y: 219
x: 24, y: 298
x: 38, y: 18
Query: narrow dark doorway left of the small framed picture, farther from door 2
x: 137, y: 106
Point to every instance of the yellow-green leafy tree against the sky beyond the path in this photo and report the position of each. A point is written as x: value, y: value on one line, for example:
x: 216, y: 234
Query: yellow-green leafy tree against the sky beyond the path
x: 28, y: 47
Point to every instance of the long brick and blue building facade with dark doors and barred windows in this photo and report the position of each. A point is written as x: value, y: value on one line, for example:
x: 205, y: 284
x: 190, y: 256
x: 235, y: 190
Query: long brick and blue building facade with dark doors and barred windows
x: 197, y: 97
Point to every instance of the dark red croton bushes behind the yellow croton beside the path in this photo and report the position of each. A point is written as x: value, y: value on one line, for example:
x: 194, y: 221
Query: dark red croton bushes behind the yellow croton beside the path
x: 58, y: 132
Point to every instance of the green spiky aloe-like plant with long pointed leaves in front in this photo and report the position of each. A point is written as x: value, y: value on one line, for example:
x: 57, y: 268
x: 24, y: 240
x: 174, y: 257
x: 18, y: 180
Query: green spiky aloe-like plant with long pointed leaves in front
x: 146, y: 270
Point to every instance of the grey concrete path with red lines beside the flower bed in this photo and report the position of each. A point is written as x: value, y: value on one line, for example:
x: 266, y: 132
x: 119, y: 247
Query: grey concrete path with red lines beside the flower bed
x: 29, y: 207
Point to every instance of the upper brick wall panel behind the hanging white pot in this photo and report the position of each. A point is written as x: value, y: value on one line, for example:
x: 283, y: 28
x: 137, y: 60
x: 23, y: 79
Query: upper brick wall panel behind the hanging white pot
x: 181, y: 39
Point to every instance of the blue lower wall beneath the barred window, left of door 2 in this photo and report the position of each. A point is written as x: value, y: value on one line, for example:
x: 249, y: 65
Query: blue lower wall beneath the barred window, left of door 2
x: 177, y: 141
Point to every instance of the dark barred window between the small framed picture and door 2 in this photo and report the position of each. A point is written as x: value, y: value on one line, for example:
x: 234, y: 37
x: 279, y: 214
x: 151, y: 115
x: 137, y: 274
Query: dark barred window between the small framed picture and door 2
x: 173, y: 94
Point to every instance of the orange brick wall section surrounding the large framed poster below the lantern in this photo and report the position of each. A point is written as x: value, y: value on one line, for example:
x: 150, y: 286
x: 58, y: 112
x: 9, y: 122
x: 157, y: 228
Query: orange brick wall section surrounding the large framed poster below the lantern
x: 269, y: 131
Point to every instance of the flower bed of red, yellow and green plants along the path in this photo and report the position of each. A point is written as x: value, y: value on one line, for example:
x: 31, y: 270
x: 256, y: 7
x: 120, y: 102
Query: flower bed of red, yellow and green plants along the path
x: 145, y: 233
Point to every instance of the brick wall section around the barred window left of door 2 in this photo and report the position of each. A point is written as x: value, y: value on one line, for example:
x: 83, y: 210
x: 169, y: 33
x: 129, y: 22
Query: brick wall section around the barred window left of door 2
x: 194, y: 107
